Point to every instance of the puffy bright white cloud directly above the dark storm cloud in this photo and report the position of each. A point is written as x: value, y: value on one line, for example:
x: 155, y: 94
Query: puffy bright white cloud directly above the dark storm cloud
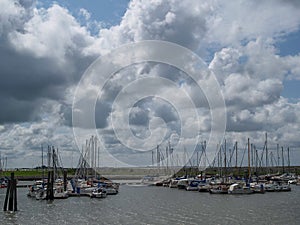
x: 51, y: 33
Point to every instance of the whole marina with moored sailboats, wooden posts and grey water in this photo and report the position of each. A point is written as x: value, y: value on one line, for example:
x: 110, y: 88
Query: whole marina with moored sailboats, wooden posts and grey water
x: 219, y: 194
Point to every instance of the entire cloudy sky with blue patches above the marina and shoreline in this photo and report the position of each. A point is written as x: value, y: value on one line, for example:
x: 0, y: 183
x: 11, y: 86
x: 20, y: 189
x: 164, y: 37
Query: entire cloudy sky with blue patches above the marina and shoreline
x: 48, y: 49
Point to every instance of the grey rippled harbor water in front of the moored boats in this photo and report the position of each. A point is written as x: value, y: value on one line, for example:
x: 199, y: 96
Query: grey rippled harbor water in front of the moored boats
x: 158, y: 205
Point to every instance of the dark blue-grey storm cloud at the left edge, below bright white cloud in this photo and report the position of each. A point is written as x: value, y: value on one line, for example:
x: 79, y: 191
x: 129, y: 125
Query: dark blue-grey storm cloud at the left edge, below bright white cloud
x: 27, y: 81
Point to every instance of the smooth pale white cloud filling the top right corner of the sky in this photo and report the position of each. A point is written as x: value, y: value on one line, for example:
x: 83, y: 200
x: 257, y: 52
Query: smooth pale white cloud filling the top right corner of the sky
x: 233, y: 23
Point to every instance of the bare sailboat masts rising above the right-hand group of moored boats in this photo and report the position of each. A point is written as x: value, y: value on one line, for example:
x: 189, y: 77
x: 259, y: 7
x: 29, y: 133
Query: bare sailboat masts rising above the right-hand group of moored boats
x: 257, y: 160
